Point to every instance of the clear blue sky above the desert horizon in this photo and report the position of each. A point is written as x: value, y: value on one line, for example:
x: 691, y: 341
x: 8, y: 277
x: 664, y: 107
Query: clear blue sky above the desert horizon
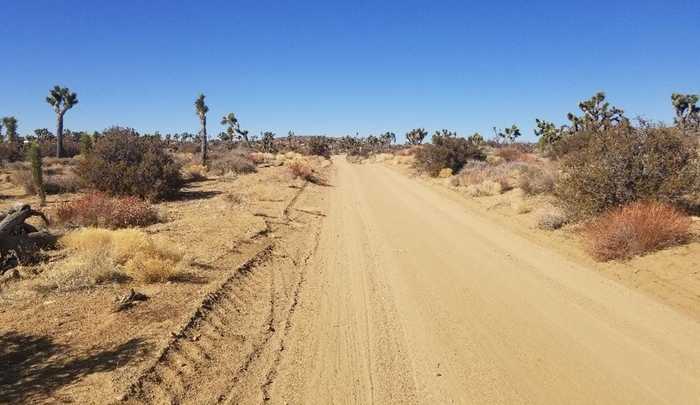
x: 337, y: 67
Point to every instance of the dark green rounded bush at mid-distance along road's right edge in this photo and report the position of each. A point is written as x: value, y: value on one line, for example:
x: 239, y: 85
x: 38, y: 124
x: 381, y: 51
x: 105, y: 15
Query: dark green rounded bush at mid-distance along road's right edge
x: 446, y: 151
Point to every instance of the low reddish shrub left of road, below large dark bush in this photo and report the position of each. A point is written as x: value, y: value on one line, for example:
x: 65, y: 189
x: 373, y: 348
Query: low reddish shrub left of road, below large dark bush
x: 108, y: 212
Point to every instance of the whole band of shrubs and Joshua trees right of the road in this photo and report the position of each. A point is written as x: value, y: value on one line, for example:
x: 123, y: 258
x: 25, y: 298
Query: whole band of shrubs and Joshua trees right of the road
x: 601, y: 174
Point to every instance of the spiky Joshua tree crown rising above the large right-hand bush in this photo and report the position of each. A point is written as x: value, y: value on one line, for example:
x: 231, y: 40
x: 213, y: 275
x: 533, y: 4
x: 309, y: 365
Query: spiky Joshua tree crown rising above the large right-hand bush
x: 598, y: 115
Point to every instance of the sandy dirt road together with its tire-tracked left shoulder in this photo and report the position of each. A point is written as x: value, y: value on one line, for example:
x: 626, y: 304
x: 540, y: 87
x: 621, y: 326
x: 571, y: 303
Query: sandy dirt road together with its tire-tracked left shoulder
x: 380, y: 289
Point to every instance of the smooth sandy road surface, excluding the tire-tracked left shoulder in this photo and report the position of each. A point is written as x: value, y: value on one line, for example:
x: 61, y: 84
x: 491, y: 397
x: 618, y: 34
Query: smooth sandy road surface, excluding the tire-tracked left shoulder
x: 410, y: 298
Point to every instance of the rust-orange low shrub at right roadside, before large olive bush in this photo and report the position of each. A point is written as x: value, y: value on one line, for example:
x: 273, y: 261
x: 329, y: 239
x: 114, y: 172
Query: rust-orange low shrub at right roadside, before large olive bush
x: 635, y: 229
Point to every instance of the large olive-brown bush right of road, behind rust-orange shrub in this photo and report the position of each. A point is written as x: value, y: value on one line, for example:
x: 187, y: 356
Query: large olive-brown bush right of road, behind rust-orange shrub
x: 623, y: 165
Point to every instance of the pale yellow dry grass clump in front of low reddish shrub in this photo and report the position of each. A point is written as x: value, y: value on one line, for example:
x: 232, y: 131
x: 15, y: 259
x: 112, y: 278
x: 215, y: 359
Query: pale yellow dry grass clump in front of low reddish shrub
x: 100, y: 256
